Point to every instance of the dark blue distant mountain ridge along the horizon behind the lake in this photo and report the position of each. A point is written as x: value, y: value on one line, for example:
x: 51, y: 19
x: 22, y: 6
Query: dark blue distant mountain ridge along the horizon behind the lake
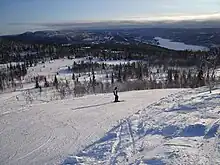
x: 195, y: 36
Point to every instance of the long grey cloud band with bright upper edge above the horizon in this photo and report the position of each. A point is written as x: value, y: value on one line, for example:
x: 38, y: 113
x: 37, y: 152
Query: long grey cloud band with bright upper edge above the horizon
x: 188, y: 20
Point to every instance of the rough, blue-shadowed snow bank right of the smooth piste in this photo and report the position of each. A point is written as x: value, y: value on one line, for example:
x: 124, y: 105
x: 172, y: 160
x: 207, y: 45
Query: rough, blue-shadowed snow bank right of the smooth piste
x: 180, y: 129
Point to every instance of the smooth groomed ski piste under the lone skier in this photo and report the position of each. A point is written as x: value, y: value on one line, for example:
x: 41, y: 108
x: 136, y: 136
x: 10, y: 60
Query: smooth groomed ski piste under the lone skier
x: 47, y: 132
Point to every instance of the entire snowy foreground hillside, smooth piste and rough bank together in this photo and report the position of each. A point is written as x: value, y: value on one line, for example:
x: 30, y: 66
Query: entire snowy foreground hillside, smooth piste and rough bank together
x: 154, y: 127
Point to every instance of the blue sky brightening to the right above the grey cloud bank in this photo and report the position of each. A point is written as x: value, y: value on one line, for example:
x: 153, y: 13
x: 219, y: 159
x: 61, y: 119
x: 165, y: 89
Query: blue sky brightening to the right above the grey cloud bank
x: 17, y: 16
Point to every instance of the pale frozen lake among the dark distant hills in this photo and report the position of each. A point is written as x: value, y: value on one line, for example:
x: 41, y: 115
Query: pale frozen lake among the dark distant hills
x: 166, y: 43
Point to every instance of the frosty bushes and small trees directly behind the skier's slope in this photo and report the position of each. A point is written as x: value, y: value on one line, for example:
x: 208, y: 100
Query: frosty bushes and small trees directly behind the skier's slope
x: 64, y: 89
